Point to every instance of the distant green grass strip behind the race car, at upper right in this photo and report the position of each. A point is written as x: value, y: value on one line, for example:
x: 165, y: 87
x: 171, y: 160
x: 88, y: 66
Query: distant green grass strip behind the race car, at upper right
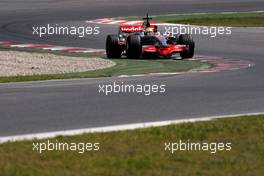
x: 250, y: 19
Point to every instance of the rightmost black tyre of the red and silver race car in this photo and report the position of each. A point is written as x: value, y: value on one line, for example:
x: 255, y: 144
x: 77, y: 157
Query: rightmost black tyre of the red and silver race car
x: 186, y: 39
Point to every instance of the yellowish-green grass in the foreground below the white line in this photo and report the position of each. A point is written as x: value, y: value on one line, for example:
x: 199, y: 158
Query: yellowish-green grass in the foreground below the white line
x: 141, y: 152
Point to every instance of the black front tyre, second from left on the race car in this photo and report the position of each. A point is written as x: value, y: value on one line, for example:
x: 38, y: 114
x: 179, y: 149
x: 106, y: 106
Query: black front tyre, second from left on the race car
x: 134, y: 47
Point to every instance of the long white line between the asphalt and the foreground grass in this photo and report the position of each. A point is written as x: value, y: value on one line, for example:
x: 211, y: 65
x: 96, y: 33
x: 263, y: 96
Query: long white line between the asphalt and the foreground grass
x: 115, y: 128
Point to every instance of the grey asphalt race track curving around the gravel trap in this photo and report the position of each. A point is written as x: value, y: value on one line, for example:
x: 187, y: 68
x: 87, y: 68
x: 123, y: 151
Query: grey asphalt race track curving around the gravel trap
x: 72, y: 104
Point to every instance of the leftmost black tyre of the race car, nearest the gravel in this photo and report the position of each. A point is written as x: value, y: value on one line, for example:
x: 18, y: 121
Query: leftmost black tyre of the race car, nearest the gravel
x: 112, y: 48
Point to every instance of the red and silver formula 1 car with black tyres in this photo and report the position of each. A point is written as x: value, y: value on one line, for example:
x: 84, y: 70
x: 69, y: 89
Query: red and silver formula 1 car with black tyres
x: 145, y: 41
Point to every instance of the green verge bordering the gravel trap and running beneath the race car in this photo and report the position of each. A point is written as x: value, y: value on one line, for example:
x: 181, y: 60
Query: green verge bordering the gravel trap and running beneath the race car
x: 122, y: 67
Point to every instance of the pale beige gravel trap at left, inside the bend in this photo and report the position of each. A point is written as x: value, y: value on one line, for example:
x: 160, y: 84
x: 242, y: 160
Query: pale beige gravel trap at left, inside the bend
x: 14, y: 63
